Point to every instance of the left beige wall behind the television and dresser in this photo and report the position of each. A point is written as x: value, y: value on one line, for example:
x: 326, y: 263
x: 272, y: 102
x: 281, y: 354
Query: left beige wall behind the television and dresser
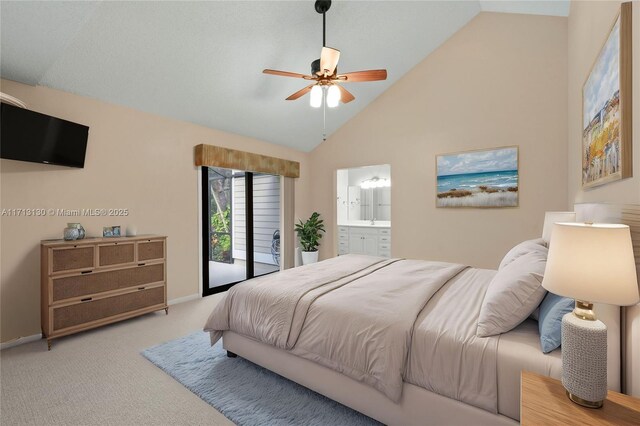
x: 134, y: 160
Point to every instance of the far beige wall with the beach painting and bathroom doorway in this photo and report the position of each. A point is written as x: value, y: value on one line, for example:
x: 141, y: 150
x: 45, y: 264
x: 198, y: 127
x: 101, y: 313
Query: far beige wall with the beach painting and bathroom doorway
x: 500, y: 81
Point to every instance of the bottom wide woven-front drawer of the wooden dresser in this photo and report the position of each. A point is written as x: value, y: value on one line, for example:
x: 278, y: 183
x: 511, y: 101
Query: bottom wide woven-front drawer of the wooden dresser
x: 93, y: 310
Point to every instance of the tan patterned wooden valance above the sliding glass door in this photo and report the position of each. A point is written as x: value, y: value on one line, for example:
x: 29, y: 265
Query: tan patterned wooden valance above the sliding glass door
x: 215, y: 156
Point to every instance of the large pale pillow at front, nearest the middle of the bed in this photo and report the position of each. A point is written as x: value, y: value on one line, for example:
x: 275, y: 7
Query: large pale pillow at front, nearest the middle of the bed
x: 514, y: 293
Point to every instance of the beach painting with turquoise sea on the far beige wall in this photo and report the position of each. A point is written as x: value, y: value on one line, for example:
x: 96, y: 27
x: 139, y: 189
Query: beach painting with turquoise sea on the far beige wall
x: 483, y: 178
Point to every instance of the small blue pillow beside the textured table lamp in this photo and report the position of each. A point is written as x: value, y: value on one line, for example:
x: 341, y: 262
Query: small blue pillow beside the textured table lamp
x: 552, y: 309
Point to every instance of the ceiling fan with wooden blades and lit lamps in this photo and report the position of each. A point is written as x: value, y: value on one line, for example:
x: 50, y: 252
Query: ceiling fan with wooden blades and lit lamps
x: 324, y: 72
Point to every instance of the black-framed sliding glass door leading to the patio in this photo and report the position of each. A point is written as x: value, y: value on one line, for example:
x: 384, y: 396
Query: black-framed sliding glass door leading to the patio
x: 241, y: 220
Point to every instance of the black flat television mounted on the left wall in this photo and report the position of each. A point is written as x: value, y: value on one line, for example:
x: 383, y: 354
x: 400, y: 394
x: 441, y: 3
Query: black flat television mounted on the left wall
x: 30, y: 136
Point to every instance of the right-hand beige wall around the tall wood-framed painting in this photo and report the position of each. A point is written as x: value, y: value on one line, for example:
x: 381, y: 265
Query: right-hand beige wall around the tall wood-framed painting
x: 588, y: 27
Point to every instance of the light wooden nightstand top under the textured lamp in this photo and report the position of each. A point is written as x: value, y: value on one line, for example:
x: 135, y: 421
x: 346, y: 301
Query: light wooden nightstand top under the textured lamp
x: 543, y: 401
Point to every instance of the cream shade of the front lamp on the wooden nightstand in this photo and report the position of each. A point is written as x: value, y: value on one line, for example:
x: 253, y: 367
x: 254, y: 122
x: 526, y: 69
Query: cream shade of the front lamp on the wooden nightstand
x: 592, y: 263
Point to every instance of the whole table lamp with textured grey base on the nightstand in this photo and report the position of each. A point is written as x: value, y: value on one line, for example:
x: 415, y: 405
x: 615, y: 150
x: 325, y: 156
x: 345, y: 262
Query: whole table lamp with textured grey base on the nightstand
x: 589, y: 263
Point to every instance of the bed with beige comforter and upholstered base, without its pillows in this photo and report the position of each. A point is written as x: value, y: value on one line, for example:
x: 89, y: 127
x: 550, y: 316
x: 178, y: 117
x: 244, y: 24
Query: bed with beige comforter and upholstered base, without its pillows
x: 394, y: 339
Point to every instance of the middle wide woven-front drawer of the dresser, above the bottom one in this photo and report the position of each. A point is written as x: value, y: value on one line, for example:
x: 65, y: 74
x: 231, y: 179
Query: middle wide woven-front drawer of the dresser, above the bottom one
x: 98, y: 282
